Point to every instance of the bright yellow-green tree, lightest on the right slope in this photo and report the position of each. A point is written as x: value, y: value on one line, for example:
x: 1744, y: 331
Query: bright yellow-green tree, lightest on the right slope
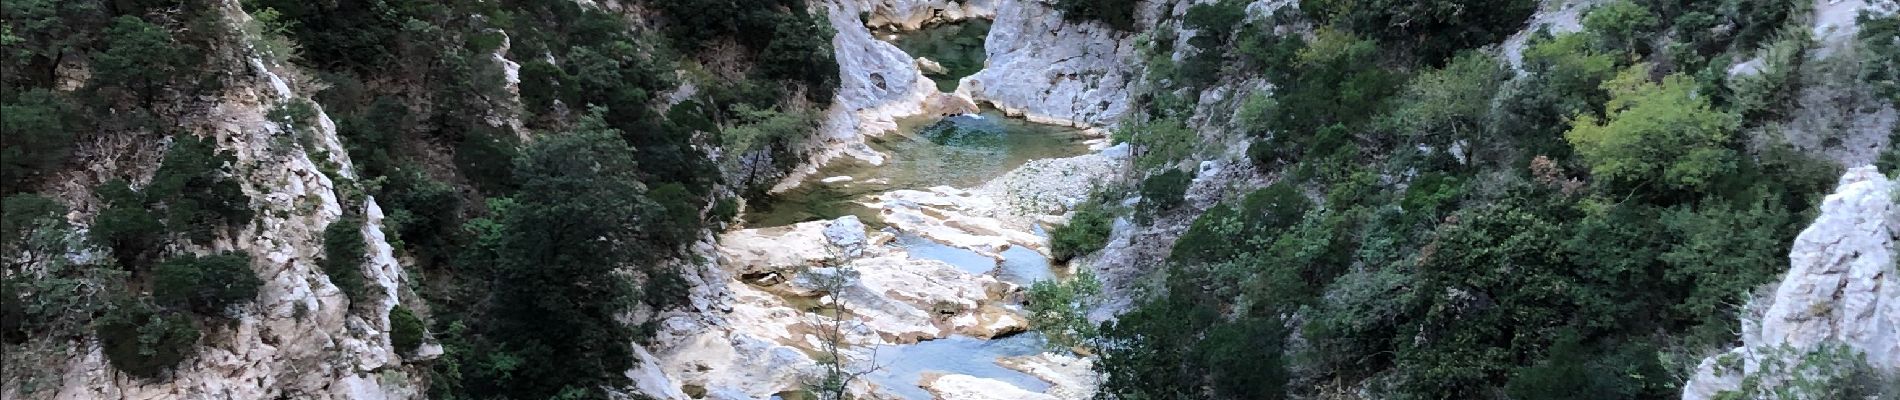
x: 1656, y: 134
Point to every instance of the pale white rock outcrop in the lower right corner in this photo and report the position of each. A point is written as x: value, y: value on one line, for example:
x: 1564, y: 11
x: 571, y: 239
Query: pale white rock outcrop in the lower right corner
x: 1842, y: 289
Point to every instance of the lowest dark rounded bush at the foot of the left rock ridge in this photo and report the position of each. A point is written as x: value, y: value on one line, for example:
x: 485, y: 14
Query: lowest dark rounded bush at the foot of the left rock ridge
x: 145, y: 342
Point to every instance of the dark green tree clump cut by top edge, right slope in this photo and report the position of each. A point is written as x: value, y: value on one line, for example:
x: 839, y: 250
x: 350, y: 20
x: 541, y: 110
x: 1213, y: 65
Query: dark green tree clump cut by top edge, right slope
x: 1432, y: 29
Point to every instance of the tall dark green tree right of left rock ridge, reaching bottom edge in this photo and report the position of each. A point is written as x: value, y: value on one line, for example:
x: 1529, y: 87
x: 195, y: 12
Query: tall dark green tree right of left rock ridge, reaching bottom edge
x: 560, y: 244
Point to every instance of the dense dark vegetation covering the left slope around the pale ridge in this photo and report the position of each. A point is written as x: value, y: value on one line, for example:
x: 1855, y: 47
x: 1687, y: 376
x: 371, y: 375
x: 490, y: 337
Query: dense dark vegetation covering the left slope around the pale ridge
x: 423, y: 111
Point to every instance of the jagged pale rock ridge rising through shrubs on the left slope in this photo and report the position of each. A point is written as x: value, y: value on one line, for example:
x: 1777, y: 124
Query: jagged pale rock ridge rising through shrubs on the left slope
x: 301, y: 338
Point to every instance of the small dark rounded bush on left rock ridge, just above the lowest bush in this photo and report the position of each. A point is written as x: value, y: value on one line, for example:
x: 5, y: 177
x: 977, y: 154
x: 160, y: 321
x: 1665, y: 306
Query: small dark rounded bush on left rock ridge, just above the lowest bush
x: 206, y: 285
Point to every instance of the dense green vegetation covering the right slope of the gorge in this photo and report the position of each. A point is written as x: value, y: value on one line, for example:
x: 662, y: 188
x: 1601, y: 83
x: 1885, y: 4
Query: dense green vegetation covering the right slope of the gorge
x: 1443, y: 227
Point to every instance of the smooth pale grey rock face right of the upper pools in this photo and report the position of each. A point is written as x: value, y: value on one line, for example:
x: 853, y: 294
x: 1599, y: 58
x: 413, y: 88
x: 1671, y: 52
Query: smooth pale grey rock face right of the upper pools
x: 1054, y: 71
